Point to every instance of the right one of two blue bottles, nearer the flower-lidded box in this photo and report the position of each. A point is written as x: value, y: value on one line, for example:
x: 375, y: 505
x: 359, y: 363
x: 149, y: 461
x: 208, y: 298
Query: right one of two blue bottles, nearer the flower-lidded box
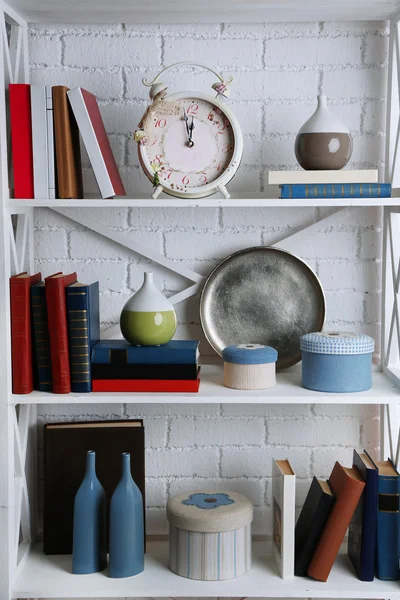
x: 126, y: 526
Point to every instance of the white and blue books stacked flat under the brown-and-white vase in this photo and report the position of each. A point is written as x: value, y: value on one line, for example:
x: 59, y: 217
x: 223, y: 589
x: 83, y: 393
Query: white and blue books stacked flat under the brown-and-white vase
x: 330, y: 184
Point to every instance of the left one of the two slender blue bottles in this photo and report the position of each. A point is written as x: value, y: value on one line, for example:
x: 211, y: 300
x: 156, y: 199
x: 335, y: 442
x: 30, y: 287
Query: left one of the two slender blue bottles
x: 89, y: 552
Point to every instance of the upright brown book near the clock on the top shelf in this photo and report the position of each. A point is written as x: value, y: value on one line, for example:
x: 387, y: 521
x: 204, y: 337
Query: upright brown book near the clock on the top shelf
x: 67, y: 146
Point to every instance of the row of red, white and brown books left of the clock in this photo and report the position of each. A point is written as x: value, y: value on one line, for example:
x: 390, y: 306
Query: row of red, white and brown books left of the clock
x: 45, y: 146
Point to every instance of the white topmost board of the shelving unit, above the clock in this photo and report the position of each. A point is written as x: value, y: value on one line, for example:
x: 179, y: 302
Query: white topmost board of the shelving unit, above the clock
x: 205, y: 11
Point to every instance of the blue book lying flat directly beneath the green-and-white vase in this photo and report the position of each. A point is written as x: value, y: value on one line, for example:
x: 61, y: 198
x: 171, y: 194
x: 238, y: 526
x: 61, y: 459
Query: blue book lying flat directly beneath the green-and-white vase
x: 120, y: 352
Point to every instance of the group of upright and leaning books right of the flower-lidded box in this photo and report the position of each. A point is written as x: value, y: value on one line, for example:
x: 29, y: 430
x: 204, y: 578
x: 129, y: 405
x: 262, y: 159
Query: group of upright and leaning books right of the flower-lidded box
x: 363, y: 499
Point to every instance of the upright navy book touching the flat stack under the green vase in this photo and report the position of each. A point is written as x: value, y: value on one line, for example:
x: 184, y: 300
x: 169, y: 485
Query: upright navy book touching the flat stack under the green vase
x: 83, y: 316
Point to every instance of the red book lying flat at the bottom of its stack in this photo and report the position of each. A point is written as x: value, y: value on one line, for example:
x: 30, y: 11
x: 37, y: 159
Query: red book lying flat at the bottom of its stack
x: 145, y: 385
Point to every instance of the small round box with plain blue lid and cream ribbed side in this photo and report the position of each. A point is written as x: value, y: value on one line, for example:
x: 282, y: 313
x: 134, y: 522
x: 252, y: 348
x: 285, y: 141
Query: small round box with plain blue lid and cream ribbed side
x: 249, y: 366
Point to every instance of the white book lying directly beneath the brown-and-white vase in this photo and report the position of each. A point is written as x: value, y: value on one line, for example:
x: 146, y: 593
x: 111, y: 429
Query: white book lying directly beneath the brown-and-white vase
x: 304, y: 177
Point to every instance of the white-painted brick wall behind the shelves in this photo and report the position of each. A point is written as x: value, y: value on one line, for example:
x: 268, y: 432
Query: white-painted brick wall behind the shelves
x: 278, y: 70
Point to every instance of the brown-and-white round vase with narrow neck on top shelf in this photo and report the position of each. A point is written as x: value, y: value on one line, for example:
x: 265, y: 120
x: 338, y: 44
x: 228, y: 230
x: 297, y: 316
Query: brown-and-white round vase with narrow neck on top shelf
x: 323, y: 142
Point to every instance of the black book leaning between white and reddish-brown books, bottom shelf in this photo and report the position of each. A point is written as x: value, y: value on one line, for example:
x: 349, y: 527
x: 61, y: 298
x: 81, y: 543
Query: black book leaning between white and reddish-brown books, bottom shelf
x: 310, y: 523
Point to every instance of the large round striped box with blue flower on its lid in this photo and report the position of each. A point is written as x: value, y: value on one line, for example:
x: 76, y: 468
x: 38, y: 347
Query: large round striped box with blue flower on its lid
x: 210, y: 535
